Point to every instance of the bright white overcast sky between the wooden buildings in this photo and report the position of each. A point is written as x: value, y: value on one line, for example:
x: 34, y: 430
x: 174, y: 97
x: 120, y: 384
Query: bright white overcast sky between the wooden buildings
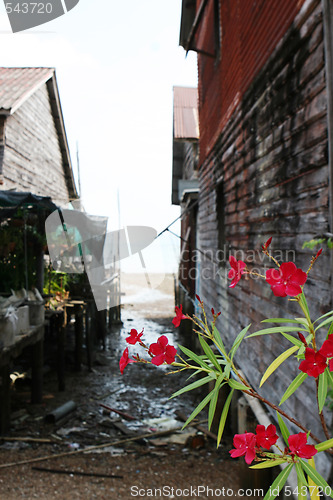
x: 116, y: 64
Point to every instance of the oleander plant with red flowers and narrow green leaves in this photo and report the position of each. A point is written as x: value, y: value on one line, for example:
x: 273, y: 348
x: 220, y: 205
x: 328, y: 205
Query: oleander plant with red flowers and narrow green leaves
x: 216, y: 363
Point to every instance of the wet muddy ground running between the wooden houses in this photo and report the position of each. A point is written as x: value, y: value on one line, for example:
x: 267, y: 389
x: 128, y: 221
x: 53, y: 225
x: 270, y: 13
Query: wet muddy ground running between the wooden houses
x: 177, y: 465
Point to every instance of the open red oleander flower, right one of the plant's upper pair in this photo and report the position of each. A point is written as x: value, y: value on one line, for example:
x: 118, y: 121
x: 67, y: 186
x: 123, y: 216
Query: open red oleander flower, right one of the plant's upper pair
x: 286, y: 280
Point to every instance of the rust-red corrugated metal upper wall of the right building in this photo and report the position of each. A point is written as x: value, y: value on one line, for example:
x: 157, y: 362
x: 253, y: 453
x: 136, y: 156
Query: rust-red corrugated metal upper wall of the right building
x: 251, y: 29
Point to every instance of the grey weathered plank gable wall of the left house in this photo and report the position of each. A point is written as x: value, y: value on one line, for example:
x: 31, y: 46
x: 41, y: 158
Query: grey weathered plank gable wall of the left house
x: 32, y: 158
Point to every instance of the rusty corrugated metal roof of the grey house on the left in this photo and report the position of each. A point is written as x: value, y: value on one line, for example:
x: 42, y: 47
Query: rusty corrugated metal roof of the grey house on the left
x: 17, y: 84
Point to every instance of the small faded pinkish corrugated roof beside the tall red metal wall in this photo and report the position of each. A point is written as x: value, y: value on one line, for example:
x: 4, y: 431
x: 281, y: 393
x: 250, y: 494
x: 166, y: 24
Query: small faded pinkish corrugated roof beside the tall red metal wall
x: 185, y: 113
